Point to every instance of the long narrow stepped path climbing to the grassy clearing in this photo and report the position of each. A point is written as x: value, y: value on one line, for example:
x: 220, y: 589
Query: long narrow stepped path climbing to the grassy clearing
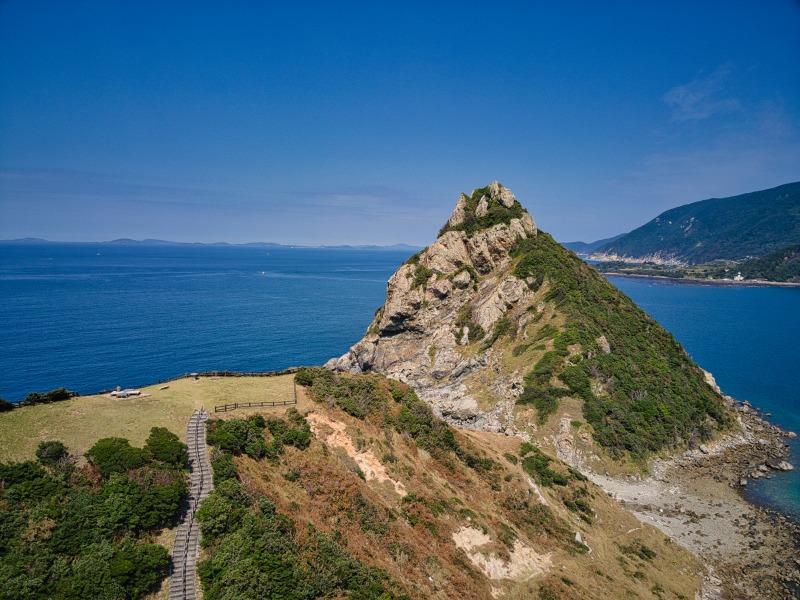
x: 183, y: 580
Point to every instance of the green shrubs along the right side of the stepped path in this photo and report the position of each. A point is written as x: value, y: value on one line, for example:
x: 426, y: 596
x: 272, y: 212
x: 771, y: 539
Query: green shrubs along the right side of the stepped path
x: 253, y: 552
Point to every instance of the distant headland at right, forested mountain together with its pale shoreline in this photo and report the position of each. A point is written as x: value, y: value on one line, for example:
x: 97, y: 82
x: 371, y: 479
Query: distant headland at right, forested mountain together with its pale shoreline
x: 753, y: 237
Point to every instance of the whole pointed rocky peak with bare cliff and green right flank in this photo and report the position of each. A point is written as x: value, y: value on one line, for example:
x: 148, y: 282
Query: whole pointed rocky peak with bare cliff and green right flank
x: 499, y: 328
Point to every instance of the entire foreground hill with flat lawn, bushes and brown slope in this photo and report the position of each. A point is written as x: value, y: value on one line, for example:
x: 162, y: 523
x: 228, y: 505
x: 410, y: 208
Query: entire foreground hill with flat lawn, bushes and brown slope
x: 357, y: 491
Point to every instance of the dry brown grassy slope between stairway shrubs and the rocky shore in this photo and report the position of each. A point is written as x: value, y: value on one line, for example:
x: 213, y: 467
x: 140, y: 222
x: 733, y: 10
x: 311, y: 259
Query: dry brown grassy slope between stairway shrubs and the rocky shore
x: 410, y: 539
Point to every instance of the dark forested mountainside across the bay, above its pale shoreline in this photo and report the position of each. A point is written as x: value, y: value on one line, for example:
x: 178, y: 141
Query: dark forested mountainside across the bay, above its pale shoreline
x: 749, y: 225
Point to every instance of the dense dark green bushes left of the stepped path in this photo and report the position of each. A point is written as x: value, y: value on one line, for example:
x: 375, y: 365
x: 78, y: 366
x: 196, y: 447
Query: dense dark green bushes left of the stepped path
x: 73, y: 532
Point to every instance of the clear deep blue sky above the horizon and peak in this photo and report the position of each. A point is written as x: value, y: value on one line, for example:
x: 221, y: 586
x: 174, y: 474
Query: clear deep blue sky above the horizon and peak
x: 338, y: 122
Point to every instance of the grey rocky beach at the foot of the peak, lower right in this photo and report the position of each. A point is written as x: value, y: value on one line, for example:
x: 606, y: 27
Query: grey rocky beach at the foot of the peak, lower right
x: 696, y: 498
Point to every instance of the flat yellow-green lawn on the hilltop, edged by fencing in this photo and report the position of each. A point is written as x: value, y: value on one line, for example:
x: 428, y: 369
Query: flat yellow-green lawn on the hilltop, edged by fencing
x: 80, y: 422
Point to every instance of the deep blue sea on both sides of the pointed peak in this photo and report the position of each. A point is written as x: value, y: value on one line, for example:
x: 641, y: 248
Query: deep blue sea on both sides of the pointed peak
x: 91, y: 317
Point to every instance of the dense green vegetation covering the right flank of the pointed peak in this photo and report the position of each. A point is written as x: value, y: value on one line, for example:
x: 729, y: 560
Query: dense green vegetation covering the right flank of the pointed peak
x: 654, y: 396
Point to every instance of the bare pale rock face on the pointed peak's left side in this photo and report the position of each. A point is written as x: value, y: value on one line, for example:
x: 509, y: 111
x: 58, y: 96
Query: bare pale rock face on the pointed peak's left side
x: 444, y: 300
